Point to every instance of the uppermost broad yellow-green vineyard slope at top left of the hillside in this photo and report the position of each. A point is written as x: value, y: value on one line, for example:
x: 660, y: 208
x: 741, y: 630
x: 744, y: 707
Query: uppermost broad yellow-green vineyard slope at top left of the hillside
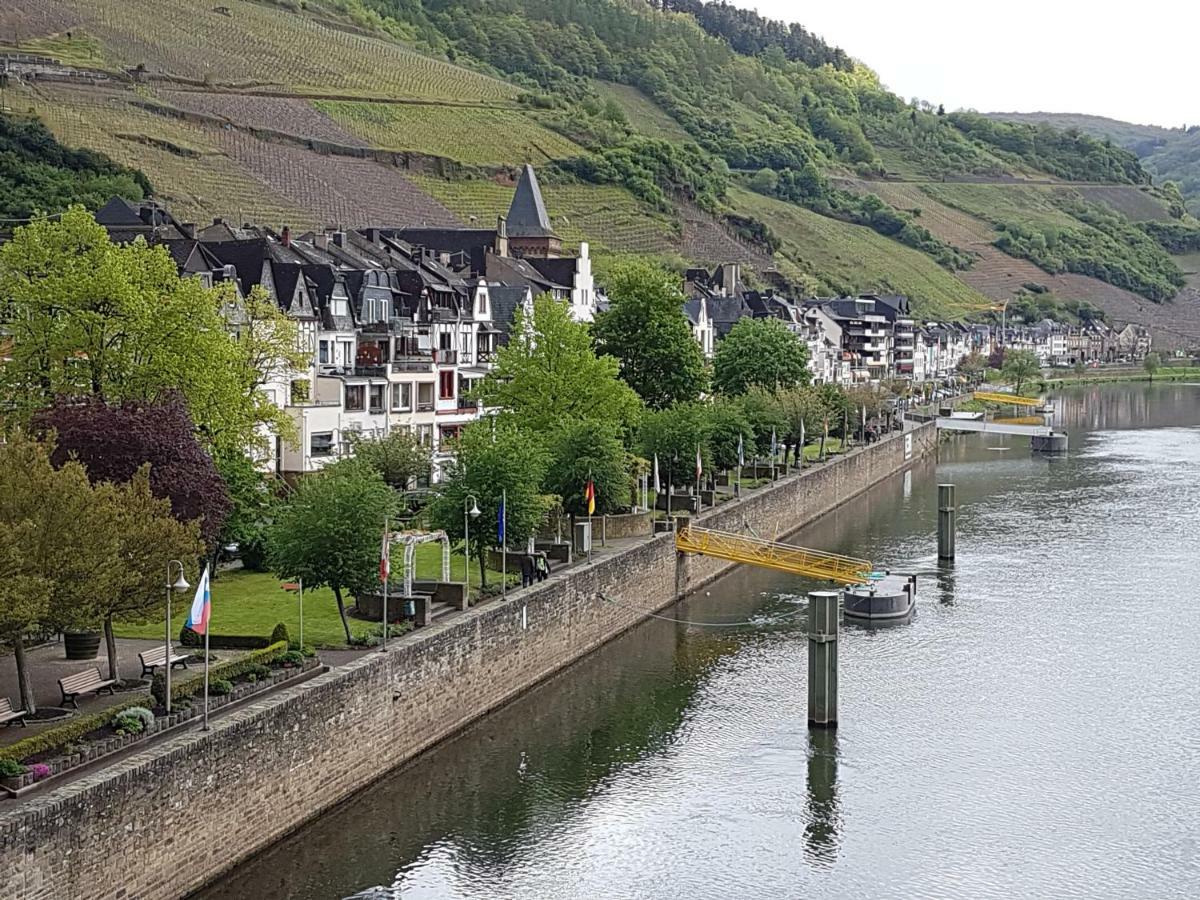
x: 254, y: 44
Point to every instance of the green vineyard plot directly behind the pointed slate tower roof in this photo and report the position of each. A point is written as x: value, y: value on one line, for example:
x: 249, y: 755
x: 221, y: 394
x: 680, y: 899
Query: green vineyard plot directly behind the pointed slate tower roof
x: 608, y: 218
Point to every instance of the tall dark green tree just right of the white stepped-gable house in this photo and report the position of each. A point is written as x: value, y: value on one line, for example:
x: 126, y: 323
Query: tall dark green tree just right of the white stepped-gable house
x: 646, y: 331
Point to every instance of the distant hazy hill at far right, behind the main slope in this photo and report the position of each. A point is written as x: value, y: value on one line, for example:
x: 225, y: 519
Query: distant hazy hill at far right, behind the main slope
x: 1168, y: 154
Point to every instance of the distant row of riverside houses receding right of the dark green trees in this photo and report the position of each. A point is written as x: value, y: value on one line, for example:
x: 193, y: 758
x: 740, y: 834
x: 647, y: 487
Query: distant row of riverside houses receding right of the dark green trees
x: 875, y: 337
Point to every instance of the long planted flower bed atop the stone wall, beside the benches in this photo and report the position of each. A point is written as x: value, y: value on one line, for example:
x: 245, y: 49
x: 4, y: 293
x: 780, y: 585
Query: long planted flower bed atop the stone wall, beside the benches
x: 87, y: 739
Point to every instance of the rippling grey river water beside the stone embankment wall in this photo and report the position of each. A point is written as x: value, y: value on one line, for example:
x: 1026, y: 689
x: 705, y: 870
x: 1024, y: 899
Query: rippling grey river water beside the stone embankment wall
x: 1034, y: 733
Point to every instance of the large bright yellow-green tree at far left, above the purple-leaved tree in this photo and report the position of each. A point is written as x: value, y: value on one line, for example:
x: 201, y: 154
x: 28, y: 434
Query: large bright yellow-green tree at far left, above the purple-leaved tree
x: 89, y: 317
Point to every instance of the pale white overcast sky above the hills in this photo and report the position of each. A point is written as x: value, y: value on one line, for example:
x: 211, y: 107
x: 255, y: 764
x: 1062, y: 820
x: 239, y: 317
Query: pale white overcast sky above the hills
x: 1133, y: 62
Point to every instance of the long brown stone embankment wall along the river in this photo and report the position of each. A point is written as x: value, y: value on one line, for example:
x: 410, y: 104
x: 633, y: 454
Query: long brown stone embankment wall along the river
x: 171, y: 819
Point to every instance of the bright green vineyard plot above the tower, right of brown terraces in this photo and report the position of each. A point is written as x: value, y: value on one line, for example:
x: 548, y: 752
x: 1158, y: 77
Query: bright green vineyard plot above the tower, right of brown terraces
x: 471, y: 135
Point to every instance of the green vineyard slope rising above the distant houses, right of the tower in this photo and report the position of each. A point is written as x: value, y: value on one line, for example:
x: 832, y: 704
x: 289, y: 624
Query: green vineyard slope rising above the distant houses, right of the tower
x: 849, y: 257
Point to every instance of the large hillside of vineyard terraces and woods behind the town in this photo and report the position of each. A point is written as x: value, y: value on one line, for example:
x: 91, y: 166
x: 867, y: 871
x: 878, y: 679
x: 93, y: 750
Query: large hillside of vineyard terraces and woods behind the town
x: 689, y: 130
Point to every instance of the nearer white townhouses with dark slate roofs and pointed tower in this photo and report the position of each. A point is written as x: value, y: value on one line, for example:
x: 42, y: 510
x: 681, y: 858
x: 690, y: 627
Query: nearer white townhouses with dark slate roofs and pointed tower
x: 399, y: 323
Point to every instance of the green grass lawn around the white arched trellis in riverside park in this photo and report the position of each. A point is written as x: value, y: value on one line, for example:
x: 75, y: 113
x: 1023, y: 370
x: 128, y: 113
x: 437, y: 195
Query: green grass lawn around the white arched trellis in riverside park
x: 254, y: 603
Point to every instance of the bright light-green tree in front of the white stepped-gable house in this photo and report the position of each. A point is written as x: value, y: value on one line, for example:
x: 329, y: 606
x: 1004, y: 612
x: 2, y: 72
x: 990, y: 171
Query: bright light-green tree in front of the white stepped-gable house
x: 549, y: 375
